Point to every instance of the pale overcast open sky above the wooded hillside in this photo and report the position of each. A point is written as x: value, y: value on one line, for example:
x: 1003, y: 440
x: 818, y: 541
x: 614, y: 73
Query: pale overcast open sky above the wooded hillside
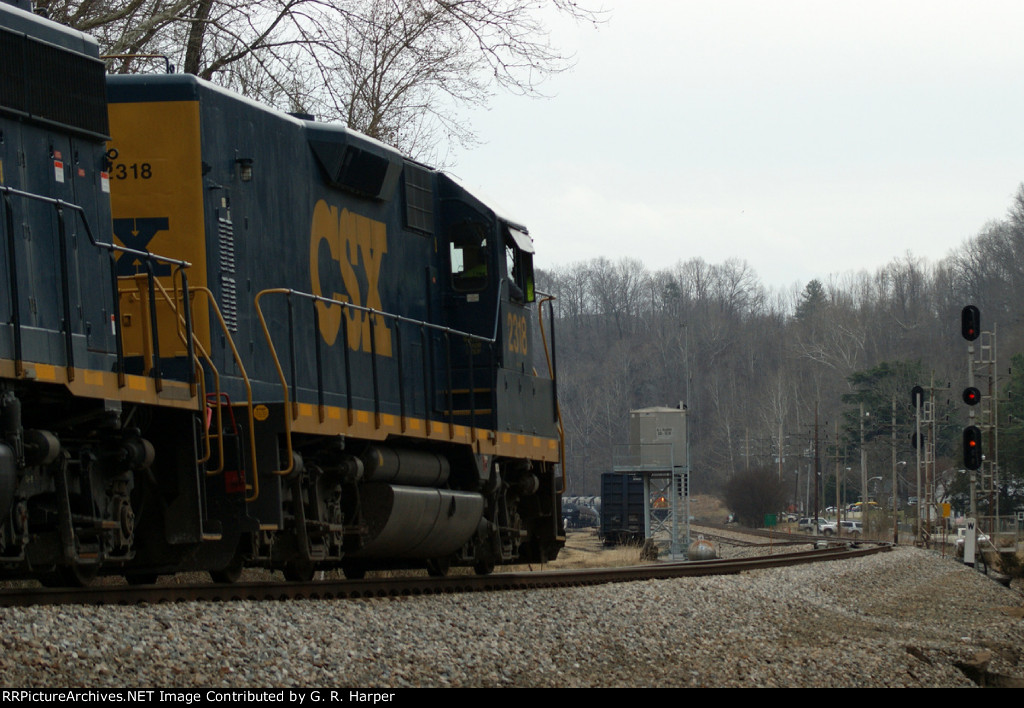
x: 807, y: 138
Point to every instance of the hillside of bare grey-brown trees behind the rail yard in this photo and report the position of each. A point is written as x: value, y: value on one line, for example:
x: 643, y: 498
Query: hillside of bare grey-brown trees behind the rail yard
x: 760, y: 361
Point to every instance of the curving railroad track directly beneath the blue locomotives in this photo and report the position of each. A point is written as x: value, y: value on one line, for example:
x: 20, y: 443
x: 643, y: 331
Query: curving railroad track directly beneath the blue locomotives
x: 398, y: 588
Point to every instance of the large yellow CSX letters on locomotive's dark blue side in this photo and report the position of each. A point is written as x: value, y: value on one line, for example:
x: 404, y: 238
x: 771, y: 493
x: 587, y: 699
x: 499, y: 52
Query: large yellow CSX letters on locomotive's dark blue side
x: 357, y: 244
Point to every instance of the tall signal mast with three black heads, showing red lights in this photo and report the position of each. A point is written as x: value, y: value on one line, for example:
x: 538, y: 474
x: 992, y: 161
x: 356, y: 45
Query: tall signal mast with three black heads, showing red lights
x: 984, y: 407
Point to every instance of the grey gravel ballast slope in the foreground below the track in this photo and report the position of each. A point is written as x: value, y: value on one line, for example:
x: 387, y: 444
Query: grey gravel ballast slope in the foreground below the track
x: 905, y: 618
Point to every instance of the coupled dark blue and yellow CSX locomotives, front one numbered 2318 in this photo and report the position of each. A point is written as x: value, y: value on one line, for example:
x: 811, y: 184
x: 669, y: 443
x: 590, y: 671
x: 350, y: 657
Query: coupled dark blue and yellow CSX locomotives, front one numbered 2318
x: 233, y: 338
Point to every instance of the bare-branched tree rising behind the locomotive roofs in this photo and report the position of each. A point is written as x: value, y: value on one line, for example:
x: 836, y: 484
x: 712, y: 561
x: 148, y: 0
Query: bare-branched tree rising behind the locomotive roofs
x: 397, y: 70
